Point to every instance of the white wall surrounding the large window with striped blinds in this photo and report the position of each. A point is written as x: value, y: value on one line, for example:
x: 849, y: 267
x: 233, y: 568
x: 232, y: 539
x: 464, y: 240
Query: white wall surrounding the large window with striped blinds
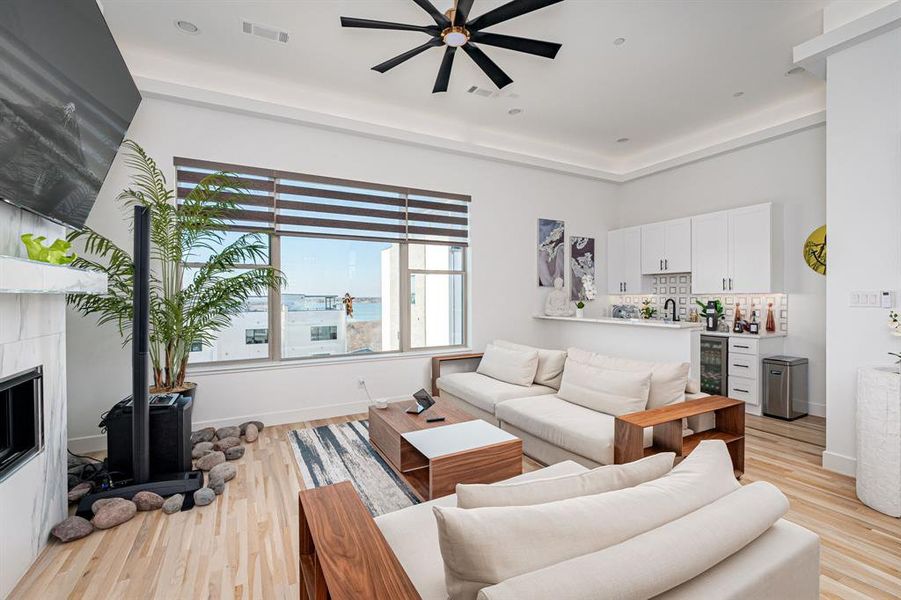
x: 507, y: 201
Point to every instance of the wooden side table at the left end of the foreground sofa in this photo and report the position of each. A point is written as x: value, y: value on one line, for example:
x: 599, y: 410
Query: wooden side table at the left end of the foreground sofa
x: 343, y: 555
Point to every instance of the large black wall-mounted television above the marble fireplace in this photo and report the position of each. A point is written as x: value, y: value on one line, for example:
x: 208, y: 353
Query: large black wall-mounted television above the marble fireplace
x: 66, y: 101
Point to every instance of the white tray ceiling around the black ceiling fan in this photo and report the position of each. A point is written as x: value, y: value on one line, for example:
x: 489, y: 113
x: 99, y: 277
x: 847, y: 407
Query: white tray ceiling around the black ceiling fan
x: 669, y: 88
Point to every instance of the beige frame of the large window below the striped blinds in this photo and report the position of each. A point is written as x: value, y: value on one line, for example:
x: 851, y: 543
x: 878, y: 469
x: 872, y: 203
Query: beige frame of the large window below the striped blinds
x: 405, y: 272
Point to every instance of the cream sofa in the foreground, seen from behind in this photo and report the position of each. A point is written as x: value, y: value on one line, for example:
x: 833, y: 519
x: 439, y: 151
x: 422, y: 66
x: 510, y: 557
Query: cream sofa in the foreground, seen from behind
x: 695, y: 535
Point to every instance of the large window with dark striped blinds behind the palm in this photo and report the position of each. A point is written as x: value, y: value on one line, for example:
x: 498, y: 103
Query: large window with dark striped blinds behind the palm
x: 369, y: 268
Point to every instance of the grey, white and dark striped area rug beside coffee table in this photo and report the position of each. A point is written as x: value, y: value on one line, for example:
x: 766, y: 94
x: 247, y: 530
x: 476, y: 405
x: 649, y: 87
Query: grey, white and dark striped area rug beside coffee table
x: 333, y: 453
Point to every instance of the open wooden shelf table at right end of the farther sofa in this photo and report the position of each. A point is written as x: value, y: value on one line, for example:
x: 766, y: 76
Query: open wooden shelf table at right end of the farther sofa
x: 667, y: 424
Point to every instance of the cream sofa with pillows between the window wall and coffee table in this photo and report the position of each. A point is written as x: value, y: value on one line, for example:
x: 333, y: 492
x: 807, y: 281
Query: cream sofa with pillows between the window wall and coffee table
x: 552, y: 427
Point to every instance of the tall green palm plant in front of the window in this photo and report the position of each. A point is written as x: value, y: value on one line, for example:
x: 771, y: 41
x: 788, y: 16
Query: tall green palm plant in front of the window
x: 181, y: 312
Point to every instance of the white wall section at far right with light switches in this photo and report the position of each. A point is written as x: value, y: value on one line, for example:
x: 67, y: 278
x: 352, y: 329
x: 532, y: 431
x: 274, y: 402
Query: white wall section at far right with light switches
x: 864, y: 213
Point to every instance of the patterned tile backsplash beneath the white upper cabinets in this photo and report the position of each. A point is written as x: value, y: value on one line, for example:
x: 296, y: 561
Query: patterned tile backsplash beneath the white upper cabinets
x: 678, y: 287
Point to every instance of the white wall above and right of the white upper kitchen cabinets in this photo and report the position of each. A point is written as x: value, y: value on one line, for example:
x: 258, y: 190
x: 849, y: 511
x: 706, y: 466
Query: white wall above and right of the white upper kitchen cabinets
x: 788, y: 171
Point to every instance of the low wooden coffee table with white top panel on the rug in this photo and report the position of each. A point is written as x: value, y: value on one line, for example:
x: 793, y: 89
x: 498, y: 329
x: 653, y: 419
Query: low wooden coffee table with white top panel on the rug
x: 434, y: 457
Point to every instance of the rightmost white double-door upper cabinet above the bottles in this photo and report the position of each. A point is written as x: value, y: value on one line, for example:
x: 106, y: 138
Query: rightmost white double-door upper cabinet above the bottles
x: 734, y: 250
